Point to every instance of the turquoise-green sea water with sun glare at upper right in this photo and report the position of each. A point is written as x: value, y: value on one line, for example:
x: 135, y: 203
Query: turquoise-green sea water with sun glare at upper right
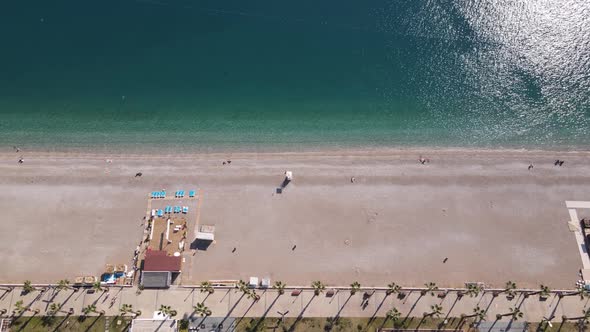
x: 189, y: 75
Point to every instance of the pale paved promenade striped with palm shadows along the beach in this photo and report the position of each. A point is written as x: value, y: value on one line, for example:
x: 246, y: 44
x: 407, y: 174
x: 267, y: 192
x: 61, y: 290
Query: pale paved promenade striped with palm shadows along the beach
x: 232, y: 303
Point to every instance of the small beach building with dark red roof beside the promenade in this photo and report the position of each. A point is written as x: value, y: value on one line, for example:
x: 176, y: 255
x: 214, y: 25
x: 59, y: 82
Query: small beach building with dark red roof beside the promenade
x: 159, y: 269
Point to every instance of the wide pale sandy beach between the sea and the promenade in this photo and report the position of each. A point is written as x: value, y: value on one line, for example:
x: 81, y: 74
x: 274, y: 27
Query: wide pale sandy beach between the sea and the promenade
x: 69, y: 214
